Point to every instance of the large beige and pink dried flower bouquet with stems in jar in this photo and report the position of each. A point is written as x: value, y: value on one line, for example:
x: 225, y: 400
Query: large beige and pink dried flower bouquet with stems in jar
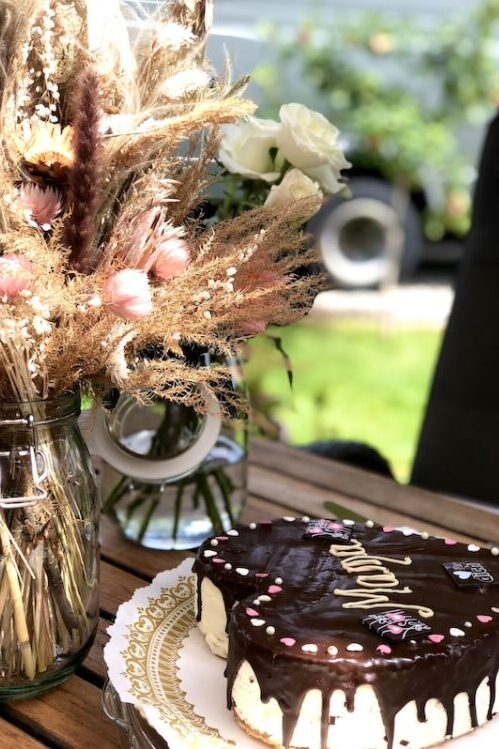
x: 107, y: 273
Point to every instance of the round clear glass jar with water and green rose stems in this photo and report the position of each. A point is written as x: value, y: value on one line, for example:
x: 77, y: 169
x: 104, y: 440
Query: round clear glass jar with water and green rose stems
x: 193, y: 479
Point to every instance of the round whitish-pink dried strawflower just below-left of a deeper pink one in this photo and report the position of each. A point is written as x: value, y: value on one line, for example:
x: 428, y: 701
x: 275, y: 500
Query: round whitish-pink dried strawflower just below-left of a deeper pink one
x: 128, y: 294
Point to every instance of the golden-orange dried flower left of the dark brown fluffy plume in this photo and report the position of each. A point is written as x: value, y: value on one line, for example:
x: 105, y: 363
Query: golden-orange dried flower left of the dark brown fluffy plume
x: 46, y: 148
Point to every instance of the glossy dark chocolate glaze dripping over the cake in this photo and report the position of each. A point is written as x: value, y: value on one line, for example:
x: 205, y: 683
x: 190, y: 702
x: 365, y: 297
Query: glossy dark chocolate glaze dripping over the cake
x: 333, y: 605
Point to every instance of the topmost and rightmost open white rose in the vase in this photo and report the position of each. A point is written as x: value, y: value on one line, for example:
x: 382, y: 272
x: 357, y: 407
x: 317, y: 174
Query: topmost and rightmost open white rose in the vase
x: 310, y: 142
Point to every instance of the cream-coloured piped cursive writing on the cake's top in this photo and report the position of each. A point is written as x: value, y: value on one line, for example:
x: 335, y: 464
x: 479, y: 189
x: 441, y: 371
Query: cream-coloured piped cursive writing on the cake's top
x: 373, y: 588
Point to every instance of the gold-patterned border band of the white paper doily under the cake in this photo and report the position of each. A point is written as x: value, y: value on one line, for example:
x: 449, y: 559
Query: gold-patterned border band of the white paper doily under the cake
x: 154, y: 641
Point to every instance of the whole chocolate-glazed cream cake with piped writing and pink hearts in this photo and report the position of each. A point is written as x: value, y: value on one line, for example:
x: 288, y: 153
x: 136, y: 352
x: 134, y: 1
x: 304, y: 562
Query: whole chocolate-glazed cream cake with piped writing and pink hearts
x: 348, y: 636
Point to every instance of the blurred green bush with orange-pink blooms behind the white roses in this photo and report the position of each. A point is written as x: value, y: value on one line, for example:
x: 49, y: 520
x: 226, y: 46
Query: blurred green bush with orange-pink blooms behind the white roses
x: 401, y: 90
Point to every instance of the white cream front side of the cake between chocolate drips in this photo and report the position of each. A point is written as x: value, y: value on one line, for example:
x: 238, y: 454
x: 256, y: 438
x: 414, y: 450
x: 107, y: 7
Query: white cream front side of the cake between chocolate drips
x: 361, y: 729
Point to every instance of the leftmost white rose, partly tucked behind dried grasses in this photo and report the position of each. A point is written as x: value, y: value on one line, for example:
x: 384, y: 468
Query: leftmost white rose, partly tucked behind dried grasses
x: 246, y: 149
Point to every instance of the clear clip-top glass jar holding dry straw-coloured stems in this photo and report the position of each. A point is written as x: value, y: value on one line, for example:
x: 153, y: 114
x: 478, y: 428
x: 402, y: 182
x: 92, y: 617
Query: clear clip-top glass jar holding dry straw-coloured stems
x: 49, y: 516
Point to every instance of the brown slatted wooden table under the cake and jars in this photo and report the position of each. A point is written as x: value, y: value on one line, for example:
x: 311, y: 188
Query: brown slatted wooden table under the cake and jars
x: 282, y: 482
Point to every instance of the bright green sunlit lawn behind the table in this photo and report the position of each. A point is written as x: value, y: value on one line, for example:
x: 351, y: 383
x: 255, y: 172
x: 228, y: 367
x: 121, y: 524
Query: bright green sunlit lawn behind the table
x: 351, y: 381
